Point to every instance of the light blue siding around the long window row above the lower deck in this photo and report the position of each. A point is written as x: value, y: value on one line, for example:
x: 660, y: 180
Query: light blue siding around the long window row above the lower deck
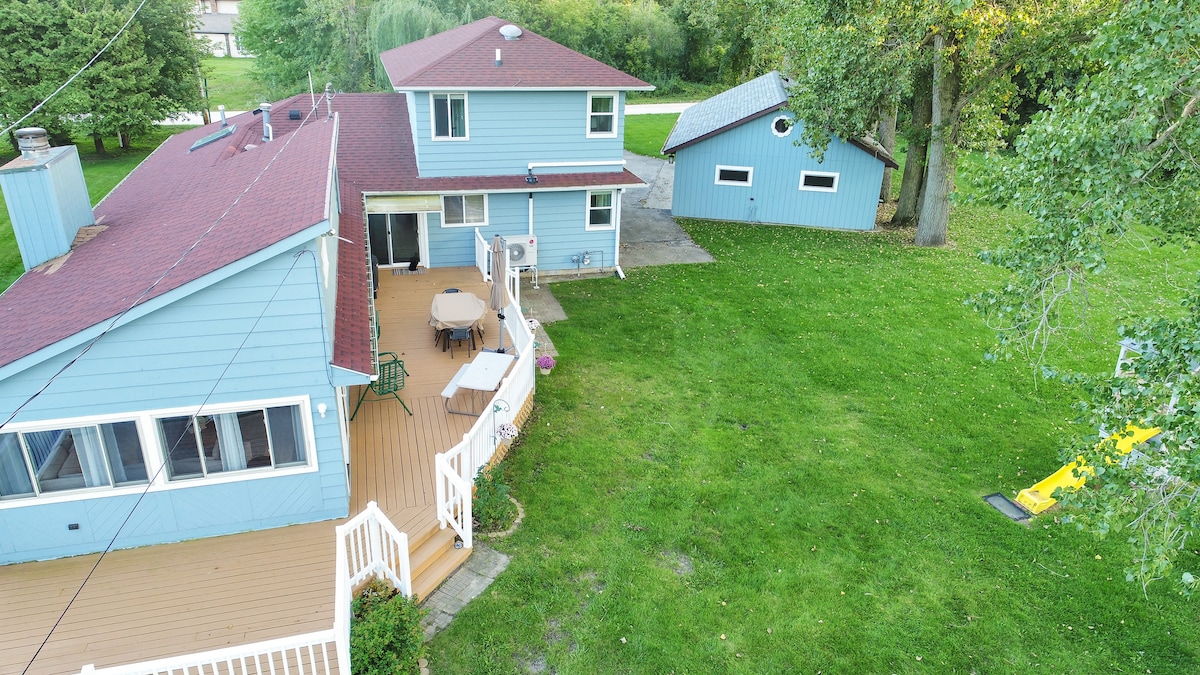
x: 172, y: 359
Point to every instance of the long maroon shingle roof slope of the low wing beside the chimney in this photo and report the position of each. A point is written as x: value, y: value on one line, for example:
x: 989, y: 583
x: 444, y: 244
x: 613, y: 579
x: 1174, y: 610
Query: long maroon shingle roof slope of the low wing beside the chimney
x: 163, y: 211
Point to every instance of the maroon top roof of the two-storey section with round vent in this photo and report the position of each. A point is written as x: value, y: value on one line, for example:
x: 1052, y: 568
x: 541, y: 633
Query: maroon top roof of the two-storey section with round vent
x: 465, y: 58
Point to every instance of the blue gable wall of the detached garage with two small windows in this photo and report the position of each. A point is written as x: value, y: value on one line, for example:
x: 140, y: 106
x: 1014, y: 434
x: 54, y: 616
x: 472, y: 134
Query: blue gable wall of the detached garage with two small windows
x: 775, y: 195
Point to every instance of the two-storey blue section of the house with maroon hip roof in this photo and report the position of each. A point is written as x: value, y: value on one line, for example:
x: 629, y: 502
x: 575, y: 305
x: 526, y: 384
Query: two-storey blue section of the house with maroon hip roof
x: 511, y: 134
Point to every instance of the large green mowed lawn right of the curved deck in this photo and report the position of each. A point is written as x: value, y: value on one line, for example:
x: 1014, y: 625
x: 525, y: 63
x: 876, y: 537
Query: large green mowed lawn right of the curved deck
x: 775, y: 464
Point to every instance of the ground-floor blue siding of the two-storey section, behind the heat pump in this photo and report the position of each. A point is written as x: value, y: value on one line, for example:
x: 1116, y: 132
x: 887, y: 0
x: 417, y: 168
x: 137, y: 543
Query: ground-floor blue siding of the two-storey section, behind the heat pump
x: 559, y: 223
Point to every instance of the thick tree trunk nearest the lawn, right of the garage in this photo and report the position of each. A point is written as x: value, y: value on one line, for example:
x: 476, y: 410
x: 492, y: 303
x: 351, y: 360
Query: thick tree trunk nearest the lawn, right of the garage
x: 935, y: 208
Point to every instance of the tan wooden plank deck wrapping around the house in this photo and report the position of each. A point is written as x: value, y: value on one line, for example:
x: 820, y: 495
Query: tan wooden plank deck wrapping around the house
x: 208, y: 594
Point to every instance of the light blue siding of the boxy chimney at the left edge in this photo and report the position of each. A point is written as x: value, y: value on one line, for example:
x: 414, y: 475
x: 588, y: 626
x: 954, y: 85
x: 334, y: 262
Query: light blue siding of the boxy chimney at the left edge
x: 49, y: 206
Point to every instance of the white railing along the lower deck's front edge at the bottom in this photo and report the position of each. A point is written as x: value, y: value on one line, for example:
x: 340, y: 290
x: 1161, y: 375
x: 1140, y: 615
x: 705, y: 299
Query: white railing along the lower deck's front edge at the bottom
x: 304, y: 655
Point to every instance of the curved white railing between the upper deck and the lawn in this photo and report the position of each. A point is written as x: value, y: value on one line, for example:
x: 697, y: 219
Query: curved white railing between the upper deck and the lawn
x: 455, y: 470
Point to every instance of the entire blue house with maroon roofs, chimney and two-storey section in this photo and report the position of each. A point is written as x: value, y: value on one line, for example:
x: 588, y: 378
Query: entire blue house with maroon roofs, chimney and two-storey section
x: 191, y: 344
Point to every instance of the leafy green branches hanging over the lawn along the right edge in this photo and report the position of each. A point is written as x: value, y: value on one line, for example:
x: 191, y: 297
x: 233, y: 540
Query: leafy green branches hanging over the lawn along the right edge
x: 1114, y: 154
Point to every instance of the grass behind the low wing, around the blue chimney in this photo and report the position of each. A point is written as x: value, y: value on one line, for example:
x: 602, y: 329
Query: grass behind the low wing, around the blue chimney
x: 101, y: 176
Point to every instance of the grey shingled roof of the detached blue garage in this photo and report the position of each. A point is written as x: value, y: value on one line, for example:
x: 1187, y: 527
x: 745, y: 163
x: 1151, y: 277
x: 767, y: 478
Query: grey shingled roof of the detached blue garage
x: 746, y: 103
